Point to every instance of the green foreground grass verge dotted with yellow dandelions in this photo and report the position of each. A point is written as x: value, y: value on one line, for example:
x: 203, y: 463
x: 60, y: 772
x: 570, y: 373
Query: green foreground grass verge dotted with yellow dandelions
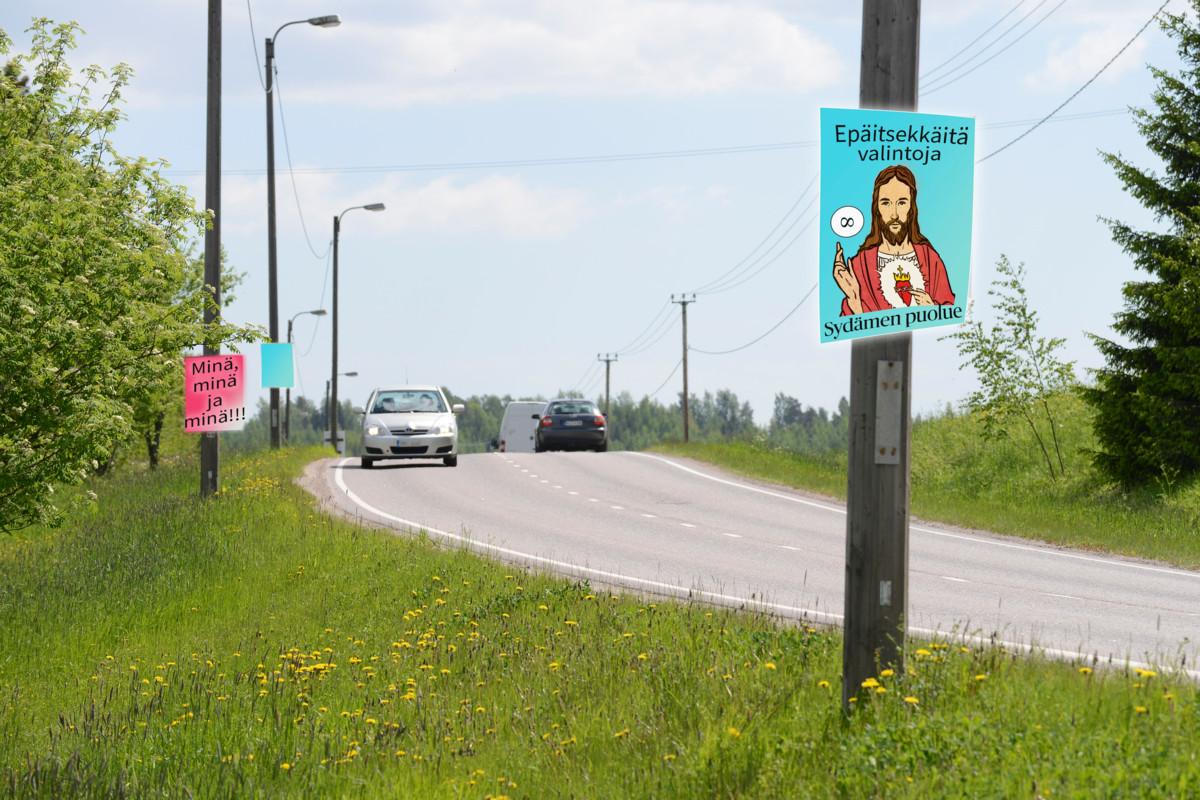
x: 251, y: 647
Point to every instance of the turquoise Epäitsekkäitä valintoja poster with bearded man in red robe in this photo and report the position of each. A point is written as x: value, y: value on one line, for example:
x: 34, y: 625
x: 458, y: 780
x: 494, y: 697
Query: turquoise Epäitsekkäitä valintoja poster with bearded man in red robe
x: 885, y: 268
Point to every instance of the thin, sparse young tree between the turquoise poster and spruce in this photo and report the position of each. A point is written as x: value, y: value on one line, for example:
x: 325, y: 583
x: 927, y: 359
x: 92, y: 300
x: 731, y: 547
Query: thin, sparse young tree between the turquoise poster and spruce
x: 1018, y: 370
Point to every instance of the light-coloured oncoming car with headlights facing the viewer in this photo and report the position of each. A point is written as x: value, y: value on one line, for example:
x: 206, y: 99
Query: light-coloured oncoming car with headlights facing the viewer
x: 410, y: 423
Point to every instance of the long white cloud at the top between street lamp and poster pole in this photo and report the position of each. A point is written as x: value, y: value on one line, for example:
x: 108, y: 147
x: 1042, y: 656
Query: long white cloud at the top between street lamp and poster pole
x: 614, y: 49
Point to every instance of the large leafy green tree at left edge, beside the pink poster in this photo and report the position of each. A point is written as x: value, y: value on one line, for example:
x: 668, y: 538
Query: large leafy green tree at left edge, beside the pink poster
x: 93, y: 256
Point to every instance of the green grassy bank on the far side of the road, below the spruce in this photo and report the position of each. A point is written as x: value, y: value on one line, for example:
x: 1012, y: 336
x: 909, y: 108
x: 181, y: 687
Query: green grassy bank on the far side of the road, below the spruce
x: 1004, y: 486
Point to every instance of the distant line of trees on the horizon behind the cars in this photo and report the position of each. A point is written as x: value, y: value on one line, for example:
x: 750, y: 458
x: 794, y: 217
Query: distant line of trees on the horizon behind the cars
x: 633, y: 424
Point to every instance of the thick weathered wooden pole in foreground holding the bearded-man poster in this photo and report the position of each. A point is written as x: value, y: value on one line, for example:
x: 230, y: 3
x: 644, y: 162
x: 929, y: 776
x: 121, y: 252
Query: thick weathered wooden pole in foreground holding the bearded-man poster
x: 880, y: 399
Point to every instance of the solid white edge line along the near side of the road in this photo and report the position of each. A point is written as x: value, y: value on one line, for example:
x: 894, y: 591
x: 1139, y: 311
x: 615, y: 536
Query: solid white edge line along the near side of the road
x: 686, y: 593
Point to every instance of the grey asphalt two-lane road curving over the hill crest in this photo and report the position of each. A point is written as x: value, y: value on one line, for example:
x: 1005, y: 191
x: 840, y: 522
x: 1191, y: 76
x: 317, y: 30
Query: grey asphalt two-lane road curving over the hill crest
x: 675, y: 527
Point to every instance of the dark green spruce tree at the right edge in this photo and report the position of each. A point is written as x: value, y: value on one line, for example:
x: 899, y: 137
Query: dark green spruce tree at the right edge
x: 1148, y: 395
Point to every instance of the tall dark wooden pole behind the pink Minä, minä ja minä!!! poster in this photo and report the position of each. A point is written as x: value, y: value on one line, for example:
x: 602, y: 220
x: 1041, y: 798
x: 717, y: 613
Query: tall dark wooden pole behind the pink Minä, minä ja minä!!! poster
x: 211, y: 443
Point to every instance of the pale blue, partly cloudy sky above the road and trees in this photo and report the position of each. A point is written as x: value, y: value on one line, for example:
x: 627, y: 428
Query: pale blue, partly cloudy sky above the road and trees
x: 493, y: 272
